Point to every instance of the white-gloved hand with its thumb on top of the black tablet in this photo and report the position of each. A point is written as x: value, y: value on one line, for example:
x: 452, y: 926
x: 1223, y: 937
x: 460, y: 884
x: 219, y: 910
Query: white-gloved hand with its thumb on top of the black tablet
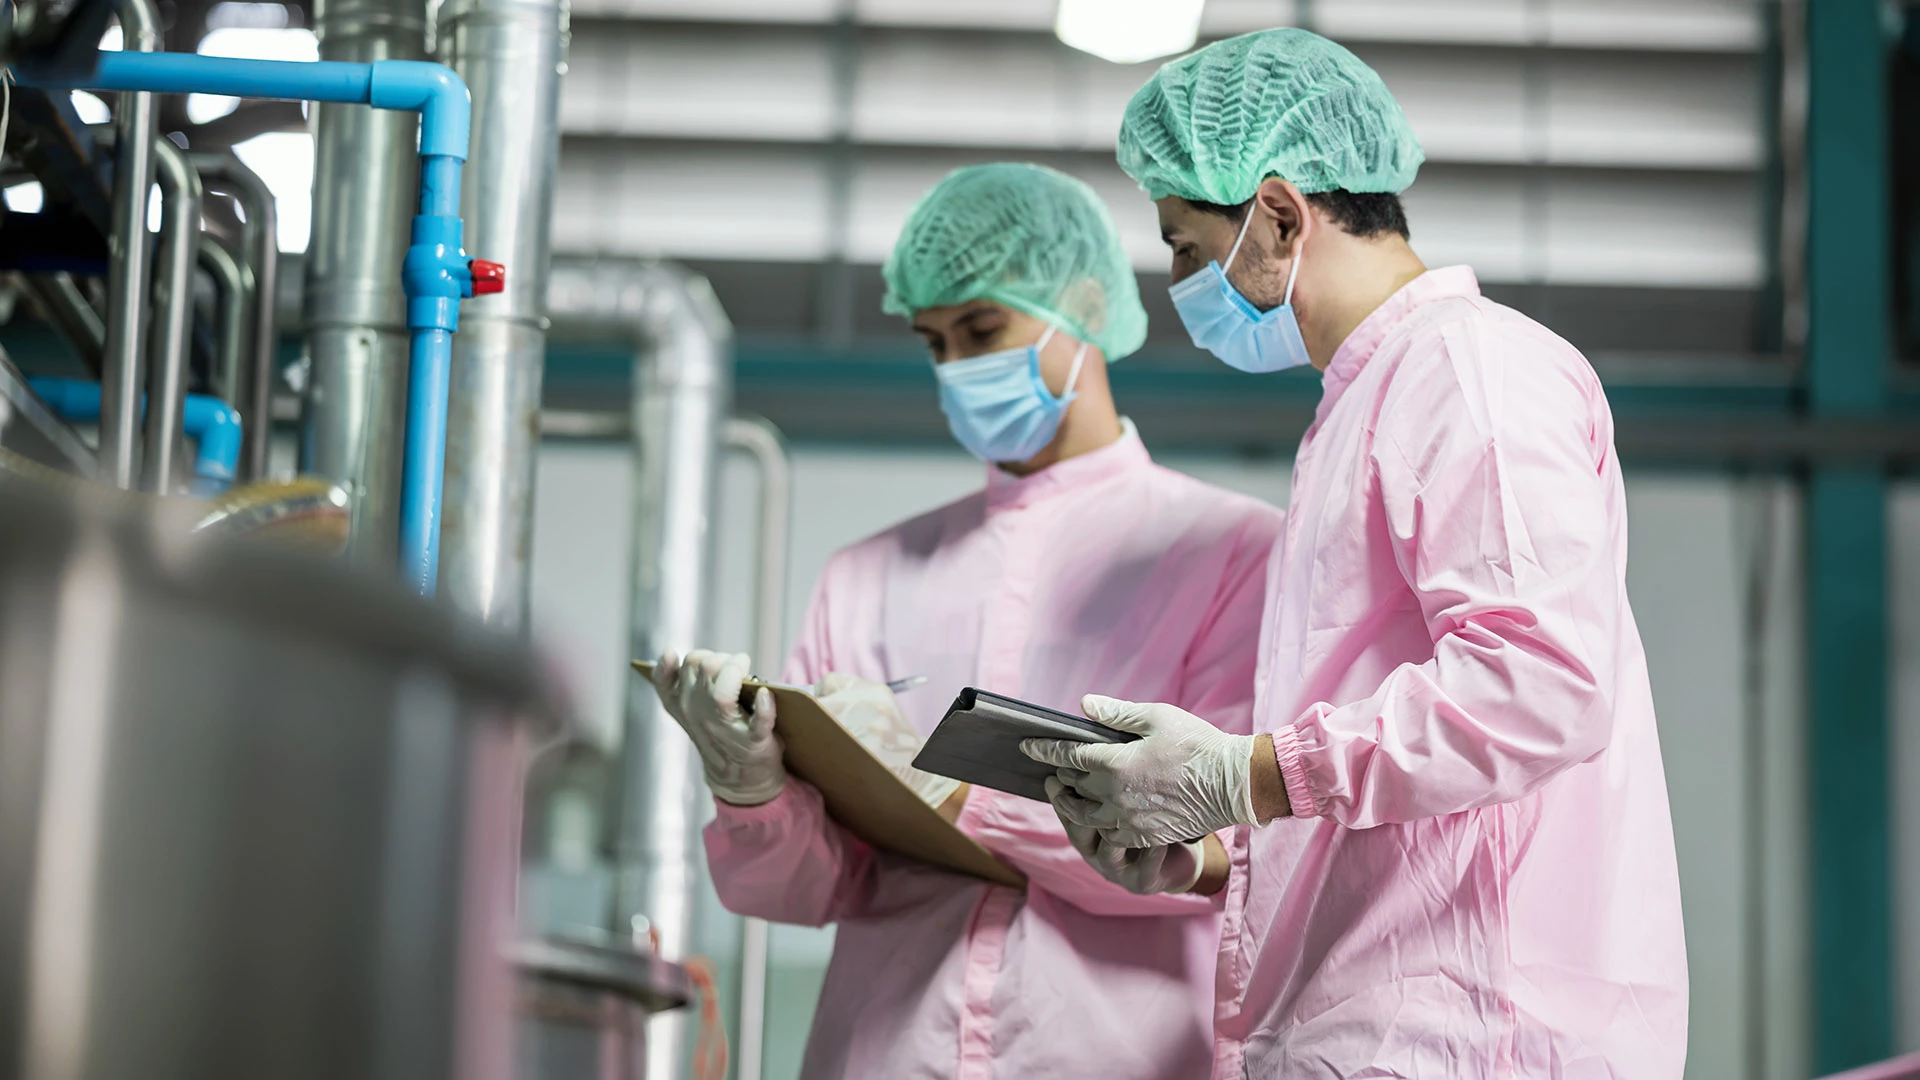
x: 1180, y: 781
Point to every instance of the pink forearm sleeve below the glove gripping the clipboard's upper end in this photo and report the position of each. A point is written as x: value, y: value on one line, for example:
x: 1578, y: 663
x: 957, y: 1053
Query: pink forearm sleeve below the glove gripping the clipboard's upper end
x: 786, y: 860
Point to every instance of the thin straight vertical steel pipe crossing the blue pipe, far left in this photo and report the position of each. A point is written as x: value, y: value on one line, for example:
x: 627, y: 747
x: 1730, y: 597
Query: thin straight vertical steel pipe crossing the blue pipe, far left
x: 135, y: 130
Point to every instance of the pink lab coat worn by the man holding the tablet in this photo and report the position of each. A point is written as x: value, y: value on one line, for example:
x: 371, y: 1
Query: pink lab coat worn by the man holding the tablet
x: 1481, y: 877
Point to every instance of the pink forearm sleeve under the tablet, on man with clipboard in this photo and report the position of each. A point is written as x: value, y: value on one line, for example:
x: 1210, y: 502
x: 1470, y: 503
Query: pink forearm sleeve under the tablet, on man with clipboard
x: 1028, y: 837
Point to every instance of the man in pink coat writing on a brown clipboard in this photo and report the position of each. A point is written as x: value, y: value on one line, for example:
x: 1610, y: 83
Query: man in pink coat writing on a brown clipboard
x: 1080, y: 566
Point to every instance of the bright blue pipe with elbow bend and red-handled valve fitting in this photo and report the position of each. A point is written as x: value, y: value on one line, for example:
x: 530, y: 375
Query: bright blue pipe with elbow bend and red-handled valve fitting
x: 437, y: 276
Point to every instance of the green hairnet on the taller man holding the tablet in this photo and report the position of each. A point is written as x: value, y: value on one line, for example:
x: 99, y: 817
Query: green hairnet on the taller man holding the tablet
x: 1291, y: 105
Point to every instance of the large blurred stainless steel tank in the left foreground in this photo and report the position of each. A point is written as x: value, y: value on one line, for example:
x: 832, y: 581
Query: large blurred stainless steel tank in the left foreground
x: 258, y: 816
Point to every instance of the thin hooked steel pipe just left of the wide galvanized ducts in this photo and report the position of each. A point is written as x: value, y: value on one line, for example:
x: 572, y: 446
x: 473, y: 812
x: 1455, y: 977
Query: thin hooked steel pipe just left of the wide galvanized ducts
x: 262, y: 258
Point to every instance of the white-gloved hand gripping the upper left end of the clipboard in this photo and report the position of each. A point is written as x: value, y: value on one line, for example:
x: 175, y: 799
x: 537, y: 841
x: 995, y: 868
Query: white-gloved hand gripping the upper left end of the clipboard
x: 740, y: 754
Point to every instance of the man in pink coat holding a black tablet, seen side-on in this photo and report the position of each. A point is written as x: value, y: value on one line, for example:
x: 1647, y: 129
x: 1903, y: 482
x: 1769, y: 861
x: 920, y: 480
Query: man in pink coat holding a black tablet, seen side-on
x: 1464, y: 862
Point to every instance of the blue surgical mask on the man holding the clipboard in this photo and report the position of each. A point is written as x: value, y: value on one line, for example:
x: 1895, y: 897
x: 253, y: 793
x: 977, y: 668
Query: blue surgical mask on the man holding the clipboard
x: 999, y: 406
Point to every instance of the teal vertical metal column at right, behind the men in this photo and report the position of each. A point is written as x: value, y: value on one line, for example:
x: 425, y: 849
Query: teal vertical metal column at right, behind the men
x: 1848, y: 355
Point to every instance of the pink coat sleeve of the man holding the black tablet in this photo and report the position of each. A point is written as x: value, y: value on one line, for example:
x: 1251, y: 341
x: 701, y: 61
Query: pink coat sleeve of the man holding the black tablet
x: 1489, y: 460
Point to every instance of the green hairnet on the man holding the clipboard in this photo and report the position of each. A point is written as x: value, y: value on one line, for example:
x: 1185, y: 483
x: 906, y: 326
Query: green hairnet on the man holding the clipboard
x: 1020, y: 235
